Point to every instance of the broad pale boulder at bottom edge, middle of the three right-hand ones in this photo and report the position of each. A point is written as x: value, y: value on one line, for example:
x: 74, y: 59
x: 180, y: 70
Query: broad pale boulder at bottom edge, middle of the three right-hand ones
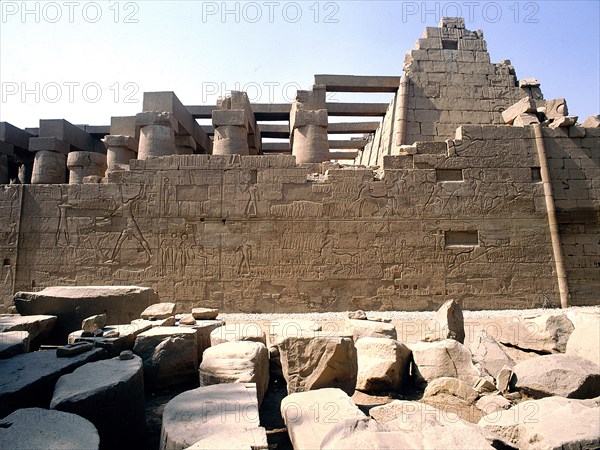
x: 418, y: 425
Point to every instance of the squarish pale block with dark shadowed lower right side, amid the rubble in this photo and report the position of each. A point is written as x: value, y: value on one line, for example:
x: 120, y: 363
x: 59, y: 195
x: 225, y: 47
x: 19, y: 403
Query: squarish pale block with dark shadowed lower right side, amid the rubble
x: 382, y: 364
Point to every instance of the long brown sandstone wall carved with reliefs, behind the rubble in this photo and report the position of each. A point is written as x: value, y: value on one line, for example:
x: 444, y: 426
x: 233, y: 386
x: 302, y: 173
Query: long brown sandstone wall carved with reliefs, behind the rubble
x: 464, y: 219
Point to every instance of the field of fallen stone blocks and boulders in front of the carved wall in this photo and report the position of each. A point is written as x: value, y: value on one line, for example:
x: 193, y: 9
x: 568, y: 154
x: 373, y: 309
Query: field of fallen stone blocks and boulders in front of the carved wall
x: 529, y: 381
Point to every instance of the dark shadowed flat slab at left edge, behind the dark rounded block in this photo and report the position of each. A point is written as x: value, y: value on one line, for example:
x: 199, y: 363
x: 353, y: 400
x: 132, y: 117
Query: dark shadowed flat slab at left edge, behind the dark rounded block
x: 28, y: 379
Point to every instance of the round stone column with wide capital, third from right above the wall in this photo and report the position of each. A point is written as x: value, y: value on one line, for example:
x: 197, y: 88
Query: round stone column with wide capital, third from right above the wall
x: 157, y: 135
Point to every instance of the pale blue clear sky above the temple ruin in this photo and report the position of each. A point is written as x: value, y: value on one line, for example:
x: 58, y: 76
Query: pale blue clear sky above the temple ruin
x: 87, y: 61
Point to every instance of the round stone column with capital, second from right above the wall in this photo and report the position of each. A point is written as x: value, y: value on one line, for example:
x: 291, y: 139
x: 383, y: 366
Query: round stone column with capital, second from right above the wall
x: 231, y: 132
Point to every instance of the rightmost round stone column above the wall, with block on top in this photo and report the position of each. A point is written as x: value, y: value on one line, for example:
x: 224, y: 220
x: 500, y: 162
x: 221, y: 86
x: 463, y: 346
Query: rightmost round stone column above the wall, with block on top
x: 308, y: 127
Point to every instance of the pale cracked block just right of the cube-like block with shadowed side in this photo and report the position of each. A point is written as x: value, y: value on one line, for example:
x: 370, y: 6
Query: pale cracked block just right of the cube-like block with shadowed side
x: 447, y: 358
